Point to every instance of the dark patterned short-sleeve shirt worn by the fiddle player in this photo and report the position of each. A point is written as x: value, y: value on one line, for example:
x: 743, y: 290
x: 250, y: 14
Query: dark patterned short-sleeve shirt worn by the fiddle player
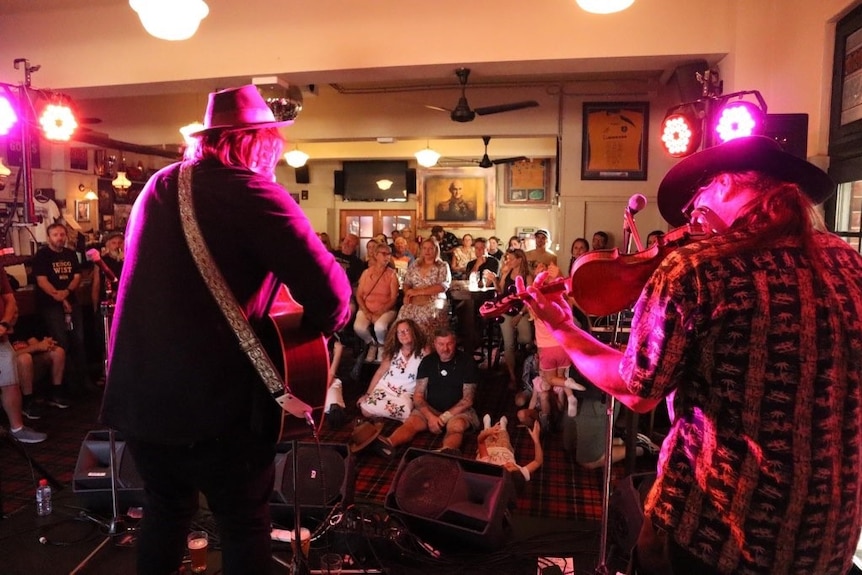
x: 761, y: 470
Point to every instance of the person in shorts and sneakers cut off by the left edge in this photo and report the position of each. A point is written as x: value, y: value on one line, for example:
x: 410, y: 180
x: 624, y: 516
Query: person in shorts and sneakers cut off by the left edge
x: 11, y: 393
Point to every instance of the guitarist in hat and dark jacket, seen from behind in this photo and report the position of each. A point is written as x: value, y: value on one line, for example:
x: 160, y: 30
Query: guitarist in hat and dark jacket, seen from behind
x: 194, y: 413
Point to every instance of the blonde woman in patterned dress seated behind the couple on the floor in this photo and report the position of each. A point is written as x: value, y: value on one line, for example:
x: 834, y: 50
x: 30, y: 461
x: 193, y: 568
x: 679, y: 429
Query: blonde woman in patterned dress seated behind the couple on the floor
x: 425, y: 288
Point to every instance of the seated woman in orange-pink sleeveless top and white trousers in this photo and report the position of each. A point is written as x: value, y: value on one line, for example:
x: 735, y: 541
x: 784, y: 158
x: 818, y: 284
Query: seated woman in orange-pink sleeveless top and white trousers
x: 376, y: 295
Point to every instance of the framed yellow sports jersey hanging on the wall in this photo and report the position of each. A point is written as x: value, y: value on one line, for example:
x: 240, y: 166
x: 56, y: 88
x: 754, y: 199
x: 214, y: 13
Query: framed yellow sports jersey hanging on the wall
x: 615, y: 141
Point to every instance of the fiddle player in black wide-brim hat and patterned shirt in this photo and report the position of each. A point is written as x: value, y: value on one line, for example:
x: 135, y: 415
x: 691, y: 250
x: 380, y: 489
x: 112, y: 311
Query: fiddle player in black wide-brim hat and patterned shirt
x: 754, y: 333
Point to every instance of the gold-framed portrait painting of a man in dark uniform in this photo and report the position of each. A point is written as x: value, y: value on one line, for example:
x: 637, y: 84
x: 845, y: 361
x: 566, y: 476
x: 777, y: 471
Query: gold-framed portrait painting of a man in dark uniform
x: 456, y: 197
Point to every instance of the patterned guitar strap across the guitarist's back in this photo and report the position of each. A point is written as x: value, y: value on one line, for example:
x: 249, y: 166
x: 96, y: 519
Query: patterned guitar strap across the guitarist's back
x: 248, y: 340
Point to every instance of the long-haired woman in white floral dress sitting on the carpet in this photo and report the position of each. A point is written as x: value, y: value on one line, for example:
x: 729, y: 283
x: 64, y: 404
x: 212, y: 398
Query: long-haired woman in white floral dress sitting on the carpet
x: 390, y: 392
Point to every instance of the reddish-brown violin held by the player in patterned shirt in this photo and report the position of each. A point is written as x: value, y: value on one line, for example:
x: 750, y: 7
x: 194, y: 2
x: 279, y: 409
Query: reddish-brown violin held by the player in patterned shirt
x: 604, y: 282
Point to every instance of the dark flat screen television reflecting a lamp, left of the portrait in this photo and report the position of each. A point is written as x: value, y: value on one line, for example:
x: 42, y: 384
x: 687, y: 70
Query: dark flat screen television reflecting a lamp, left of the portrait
x: 375, y: 181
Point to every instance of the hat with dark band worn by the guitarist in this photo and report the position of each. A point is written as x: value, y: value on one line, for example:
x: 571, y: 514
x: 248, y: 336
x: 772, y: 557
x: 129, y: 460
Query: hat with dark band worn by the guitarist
x: 240, y: 108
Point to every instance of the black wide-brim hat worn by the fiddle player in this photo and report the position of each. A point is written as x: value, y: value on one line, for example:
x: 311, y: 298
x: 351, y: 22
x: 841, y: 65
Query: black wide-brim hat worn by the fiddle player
x: 757, y: 153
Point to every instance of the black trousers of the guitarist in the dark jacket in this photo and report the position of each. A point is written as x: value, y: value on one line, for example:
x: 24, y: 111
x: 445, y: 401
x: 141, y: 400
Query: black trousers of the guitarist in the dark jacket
x: 235, y: 474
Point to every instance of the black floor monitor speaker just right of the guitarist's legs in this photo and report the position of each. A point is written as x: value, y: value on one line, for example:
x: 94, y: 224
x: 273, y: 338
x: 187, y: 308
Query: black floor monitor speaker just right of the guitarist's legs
x: 322, y: 479
